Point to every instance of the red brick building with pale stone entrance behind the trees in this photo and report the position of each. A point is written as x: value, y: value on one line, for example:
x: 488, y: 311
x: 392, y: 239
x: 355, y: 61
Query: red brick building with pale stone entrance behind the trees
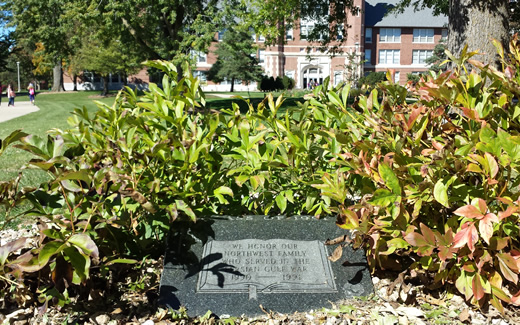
x: 376, y: 40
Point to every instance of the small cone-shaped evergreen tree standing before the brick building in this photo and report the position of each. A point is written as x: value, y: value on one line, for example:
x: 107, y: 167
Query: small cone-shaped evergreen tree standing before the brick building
x: 236, y: 58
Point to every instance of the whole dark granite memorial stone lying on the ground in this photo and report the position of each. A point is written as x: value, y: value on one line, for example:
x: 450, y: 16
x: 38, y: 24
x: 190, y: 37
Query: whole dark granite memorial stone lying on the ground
x: 232, y: 265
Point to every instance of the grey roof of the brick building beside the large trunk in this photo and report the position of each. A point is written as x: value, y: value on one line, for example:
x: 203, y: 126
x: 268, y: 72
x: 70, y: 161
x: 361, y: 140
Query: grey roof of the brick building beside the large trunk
x: 376, y: 16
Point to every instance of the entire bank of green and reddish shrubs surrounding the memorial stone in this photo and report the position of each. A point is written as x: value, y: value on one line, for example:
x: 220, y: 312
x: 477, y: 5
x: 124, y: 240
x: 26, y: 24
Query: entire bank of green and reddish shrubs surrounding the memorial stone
x: 430, y: 186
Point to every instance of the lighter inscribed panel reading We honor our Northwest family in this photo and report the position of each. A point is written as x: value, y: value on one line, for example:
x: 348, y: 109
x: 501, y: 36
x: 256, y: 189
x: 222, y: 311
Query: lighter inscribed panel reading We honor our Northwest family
x: 266, y: 266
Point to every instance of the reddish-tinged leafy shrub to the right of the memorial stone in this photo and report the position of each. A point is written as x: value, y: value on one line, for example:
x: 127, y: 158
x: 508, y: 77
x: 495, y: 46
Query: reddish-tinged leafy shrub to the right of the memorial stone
x: 440, y: 179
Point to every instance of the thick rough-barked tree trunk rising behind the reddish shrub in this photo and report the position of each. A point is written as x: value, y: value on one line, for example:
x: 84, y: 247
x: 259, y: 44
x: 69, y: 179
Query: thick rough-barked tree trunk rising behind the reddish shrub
x: 475, y: 23
